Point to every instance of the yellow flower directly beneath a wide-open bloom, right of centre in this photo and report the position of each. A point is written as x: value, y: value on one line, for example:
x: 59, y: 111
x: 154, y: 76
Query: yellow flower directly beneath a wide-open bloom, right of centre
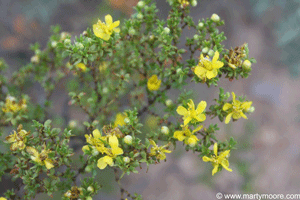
x: 187, y: 136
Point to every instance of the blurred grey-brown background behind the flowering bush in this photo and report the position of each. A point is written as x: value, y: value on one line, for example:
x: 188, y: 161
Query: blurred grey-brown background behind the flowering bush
x: 267, y: 159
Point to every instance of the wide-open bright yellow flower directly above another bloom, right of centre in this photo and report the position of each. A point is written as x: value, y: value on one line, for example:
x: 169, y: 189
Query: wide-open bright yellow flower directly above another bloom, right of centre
x: 190, y: 113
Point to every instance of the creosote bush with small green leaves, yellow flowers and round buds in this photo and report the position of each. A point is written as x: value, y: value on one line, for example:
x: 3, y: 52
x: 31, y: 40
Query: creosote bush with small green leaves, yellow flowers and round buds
x: 115, y: 73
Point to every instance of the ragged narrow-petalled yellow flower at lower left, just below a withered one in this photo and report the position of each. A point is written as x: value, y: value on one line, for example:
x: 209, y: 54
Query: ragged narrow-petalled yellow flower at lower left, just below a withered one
x: 41, y: 158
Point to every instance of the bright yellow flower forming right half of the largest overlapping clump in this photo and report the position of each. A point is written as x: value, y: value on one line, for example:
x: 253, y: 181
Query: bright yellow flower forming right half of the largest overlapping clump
x: 112, y: 153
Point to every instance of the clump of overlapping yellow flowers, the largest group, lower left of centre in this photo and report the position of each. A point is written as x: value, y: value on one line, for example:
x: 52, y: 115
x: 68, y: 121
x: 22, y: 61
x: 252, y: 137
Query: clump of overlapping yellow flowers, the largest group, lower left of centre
x: 98, y: 143
